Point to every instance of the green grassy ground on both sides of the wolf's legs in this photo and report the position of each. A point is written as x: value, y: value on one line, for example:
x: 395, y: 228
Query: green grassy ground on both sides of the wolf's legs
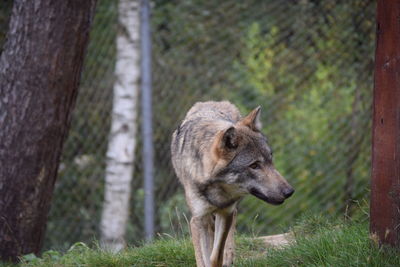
x: 319, y: 242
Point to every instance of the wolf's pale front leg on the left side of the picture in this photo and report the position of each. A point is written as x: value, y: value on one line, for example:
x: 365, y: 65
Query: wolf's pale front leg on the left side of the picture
x: 203, y: 238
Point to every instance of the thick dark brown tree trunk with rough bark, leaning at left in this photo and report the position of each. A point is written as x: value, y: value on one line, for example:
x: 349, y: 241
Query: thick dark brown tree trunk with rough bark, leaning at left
x: 40, y: 69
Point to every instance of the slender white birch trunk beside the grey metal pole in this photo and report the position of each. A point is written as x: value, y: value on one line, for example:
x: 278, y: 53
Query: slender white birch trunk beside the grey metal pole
x: 122, y: 141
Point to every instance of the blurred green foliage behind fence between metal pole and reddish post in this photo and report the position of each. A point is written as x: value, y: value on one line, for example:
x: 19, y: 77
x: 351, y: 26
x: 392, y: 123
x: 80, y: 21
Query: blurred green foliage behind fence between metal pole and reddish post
x: 307, y: 63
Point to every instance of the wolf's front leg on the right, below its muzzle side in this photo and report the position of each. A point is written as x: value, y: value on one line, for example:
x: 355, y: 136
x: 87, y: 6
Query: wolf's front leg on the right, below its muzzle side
x: 223, y: 222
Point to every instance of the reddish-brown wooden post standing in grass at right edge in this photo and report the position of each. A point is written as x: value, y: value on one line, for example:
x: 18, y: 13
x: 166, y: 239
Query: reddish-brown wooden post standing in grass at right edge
x: 385, y: 184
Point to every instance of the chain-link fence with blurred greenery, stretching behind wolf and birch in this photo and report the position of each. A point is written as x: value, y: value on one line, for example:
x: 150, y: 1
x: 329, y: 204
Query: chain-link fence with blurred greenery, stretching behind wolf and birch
x: 308, y: 63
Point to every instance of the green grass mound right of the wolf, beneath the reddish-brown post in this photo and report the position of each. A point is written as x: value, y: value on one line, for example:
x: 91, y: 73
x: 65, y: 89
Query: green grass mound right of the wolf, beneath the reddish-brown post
x: 320, y: 242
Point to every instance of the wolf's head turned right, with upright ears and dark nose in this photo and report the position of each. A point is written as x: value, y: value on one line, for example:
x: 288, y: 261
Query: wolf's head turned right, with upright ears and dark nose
x: 244, y: 162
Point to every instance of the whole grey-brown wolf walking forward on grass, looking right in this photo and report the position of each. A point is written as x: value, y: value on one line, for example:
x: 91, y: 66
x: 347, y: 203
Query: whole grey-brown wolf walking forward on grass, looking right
x: 220, y: 157
